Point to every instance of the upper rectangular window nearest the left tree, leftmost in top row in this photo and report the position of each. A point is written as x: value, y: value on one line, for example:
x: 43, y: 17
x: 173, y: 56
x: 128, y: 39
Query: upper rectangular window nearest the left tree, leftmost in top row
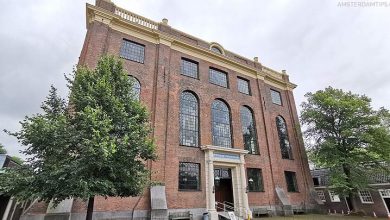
x: 132, y: 51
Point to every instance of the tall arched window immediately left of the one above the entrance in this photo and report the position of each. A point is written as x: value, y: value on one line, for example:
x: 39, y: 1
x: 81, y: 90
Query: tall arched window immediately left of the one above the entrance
x: 189, y: 119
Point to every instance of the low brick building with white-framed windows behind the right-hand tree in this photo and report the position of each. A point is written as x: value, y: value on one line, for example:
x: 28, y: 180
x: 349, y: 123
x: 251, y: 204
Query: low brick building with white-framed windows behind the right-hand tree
x: 373, y: 201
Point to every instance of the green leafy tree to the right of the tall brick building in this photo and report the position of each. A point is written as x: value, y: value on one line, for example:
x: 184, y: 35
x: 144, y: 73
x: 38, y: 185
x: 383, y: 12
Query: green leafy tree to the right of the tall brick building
x: 346, y: 135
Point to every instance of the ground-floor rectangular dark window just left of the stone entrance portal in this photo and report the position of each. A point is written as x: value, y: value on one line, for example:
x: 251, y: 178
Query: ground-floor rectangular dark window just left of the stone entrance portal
x: 189, y: 176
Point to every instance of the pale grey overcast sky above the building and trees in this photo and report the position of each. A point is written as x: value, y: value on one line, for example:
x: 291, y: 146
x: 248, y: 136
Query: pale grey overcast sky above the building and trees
x: 319, y: 43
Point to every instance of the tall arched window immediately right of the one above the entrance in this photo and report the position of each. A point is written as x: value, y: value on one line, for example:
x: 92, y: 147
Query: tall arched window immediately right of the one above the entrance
x: 249, y: 134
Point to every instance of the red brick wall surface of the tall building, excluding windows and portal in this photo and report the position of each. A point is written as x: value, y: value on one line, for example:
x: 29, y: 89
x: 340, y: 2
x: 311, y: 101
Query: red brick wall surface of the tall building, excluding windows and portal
x: 161, y: 86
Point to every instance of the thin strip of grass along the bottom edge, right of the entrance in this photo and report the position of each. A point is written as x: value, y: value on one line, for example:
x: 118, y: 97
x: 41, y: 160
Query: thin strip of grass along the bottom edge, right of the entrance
x: 316, y: 217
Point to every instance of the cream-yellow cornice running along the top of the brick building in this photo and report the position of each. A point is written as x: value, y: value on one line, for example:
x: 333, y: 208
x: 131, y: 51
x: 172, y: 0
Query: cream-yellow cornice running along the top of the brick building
x: 155, y: 36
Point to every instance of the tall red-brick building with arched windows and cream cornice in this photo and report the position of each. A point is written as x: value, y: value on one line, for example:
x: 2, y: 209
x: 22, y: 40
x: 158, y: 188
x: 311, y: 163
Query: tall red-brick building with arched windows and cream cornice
x: 225, y: 126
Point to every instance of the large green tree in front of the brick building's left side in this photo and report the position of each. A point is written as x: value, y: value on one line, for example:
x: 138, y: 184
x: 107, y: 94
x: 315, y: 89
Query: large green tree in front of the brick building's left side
x: 98, y: 145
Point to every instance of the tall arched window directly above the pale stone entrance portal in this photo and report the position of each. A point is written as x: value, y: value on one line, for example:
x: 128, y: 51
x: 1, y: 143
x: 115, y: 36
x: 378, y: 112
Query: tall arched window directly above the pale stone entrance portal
x: 221, y: 124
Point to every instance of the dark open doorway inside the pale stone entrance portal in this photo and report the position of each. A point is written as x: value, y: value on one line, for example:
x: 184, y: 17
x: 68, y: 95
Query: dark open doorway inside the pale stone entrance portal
x: 223, y: 189
